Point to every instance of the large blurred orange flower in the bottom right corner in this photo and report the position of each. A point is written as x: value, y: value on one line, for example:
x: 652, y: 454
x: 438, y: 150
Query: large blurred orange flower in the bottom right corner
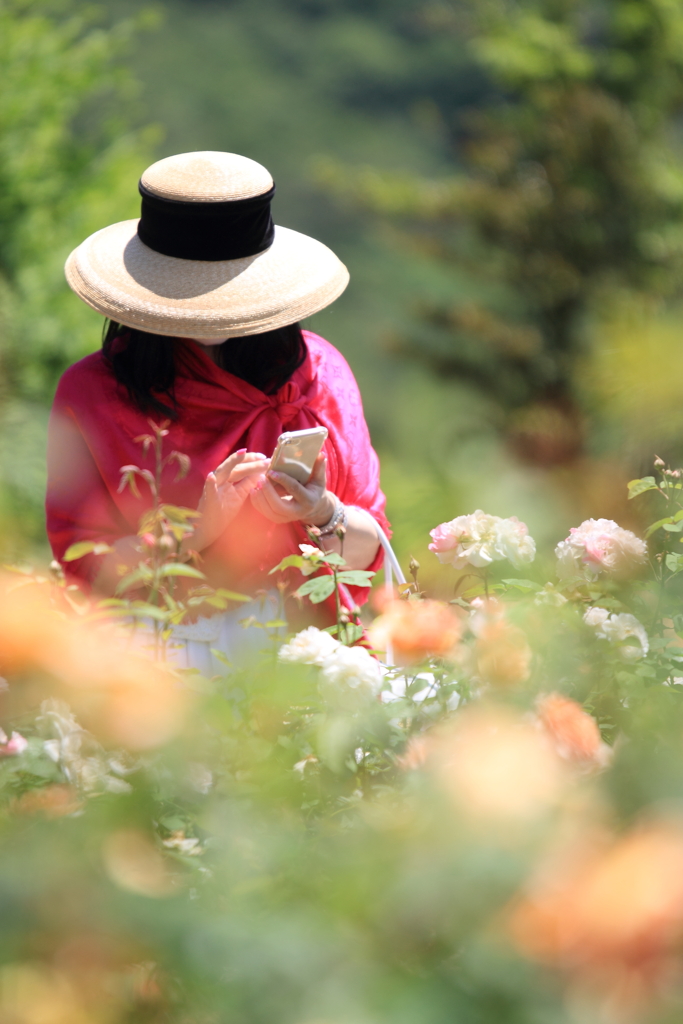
x: 610, y: 914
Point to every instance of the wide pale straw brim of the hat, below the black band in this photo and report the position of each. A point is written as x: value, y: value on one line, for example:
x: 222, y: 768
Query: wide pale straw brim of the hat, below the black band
x: 117, y: 275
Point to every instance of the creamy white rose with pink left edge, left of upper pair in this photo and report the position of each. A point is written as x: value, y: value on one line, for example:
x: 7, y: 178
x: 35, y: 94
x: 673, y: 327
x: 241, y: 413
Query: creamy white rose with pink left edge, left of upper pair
x: 481, y: 539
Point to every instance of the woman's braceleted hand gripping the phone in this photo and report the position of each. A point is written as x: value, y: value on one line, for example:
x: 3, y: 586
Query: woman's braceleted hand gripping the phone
x: 311, y: 503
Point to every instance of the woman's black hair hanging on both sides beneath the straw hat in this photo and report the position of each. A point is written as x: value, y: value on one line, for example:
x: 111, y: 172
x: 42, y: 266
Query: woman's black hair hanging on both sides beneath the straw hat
x: 146, y: 364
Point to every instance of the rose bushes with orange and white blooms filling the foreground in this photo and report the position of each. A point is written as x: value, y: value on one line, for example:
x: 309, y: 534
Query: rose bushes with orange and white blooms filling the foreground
x: 484, y: 830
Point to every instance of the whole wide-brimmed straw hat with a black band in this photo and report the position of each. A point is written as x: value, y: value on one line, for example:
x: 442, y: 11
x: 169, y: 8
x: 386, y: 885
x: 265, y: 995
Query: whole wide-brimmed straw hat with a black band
x: 205, y: 260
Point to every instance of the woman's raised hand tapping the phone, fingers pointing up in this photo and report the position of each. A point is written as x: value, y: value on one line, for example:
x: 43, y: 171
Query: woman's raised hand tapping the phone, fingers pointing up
x: 225, y: 493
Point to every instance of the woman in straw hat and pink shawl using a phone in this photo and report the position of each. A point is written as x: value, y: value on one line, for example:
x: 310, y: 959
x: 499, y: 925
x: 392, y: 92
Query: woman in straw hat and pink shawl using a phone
x: 204, y: 296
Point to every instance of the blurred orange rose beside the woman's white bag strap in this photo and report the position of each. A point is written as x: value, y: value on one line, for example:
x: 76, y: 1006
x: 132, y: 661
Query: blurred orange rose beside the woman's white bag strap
x: 416, y: 630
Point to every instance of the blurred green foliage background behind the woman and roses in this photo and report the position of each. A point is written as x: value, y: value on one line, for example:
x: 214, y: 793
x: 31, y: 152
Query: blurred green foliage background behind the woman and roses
x: 415, y: 139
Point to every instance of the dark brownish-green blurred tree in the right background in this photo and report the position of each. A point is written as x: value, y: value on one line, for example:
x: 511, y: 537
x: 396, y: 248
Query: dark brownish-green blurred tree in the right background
x: 571, y: 187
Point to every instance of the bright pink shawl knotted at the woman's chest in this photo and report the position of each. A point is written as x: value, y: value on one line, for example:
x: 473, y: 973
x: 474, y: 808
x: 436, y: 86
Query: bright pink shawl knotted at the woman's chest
x: 93, y: 435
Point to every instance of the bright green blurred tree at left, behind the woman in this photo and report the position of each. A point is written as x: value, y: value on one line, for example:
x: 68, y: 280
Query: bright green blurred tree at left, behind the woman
x: 68, y: 156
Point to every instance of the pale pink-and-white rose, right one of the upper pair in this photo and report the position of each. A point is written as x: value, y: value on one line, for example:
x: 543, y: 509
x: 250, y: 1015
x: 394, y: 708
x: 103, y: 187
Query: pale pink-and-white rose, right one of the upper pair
x: 600, y: 546
